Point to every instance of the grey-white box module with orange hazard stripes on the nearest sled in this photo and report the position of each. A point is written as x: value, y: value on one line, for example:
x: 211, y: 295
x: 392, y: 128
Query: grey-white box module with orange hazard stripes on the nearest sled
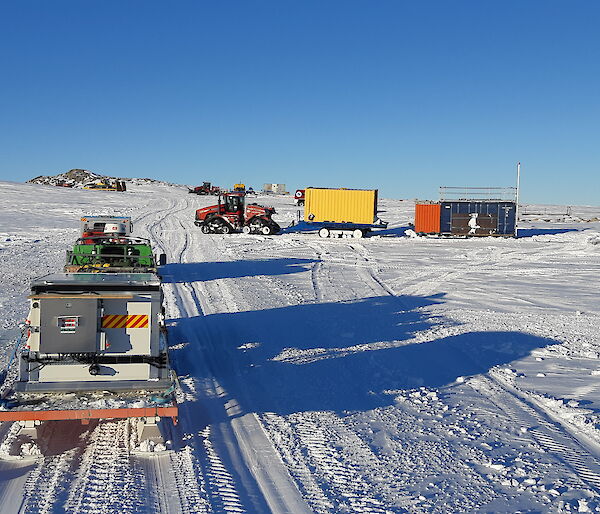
x: 94, y: 331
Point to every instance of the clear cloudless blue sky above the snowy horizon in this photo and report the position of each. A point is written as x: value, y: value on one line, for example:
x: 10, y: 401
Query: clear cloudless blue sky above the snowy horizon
x: 402, y: 96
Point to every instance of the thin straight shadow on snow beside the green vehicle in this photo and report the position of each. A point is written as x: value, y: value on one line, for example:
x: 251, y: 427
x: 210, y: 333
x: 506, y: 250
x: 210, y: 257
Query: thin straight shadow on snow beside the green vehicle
x: 199, y: 271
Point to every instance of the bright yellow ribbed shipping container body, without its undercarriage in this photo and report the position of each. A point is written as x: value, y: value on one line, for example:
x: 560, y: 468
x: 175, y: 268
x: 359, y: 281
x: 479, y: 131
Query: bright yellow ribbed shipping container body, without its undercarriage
x: 356, y: 206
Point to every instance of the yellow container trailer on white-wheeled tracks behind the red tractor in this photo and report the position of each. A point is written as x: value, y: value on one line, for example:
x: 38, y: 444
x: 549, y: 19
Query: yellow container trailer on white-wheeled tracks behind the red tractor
x: 342, y: 212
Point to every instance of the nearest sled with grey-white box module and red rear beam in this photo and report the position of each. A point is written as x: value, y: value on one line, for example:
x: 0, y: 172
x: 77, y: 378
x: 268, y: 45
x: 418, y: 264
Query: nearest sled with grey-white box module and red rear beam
x: 96, y: 349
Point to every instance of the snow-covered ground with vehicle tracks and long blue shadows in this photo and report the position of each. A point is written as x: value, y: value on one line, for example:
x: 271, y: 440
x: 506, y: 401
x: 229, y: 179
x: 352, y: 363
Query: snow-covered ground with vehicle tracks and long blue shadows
x: 382, y: 375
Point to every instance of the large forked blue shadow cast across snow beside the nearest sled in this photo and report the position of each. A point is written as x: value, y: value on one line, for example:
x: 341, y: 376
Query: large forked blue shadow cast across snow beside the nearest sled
x: 338, y: 356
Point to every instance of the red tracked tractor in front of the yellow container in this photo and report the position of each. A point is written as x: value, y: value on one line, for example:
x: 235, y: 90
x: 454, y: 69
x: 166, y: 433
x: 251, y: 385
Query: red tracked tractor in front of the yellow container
x: 232, y: 214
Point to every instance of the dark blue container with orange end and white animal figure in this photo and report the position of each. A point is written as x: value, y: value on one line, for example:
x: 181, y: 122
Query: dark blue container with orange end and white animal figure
x: 468, y: 212
